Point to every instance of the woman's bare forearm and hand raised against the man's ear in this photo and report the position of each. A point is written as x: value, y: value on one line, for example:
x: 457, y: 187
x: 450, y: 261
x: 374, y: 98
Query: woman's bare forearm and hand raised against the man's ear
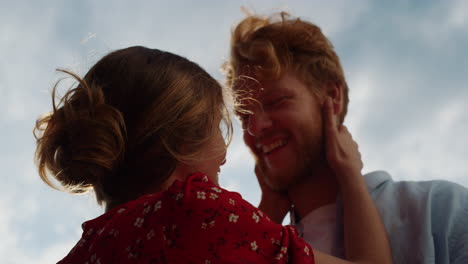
x: 365, y: 238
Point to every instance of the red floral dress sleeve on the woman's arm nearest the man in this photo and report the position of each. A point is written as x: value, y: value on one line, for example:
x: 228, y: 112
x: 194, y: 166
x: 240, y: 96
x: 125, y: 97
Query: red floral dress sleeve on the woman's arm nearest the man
x: 214, y: 225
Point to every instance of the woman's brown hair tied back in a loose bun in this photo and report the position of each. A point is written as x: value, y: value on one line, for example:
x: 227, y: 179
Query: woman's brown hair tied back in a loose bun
x: 126, y: 124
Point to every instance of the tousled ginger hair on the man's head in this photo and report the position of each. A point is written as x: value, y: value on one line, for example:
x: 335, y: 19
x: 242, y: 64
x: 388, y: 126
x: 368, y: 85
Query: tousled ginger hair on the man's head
x: 266, y: 47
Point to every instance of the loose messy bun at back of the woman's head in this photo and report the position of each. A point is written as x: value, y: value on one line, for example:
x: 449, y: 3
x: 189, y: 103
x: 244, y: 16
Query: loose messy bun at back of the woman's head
x: 81, y: 141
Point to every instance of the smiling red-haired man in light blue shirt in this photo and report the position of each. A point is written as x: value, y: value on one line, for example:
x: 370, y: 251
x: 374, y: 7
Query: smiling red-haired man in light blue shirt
x: 281, y: 72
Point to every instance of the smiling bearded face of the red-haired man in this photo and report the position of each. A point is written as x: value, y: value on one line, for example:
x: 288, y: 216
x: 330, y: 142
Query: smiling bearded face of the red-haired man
x: 283, y: 129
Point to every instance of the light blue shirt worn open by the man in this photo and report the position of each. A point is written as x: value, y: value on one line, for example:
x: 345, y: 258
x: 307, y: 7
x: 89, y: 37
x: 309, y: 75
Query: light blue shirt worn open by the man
x: 426, y: 221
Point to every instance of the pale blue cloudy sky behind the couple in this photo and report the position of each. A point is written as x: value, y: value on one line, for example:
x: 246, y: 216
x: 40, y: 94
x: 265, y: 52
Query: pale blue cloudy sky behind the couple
x: 405, y: 62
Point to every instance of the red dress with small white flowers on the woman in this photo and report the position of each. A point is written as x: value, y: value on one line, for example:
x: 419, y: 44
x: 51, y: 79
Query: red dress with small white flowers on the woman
x: 192, y: 222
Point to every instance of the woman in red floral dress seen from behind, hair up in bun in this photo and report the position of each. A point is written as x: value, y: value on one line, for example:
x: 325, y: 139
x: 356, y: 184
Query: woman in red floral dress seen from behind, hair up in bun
x: 141, y: 130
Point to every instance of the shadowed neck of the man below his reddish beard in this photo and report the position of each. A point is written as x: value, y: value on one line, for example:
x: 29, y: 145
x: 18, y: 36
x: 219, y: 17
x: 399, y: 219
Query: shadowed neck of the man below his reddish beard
x: 314, y: 192
